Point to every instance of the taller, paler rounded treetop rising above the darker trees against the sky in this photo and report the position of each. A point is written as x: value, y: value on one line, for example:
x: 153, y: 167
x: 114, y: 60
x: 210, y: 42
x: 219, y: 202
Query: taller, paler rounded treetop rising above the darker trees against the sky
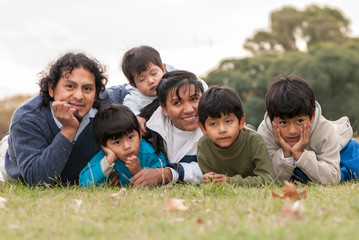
x: 291, y: 29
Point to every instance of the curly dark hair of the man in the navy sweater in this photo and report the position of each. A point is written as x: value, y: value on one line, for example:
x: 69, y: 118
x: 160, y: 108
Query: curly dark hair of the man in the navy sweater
x: 65, y: 65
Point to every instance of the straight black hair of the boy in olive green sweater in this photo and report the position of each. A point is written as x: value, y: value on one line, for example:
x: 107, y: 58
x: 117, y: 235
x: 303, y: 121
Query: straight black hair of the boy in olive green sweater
x: 219, y: 100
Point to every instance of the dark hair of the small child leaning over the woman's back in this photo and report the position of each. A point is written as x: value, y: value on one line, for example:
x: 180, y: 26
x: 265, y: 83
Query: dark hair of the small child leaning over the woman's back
x: 137, y: 60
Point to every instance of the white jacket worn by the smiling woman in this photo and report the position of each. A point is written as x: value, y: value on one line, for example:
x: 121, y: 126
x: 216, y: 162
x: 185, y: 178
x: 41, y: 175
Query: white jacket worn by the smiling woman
x: 179, y: 143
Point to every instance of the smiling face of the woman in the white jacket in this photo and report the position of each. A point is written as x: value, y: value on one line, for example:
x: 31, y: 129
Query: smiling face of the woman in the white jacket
x: 183, y: 109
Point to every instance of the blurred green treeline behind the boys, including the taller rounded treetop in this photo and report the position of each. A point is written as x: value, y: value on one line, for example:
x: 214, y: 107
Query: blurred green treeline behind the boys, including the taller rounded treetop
x: 314, y: 43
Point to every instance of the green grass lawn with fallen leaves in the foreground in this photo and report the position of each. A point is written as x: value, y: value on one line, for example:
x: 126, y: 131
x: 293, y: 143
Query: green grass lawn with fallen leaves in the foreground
x: 215, y: 212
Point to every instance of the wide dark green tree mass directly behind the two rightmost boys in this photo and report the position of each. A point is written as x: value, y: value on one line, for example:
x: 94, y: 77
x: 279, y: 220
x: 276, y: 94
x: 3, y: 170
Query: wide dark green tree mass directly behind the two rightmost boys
x: 332, y: 70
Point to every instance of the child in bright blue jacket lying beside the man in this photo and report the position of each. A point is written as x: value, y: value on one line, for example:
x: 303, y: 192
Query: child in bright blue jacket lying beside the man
x: 117, y: 130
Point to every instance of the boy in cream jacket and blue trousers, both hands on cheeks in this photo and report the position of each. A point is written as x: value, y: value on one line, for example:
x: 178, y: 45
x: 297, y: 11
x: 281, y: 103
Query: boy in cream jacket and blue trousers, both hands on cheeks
x: 302, y: 144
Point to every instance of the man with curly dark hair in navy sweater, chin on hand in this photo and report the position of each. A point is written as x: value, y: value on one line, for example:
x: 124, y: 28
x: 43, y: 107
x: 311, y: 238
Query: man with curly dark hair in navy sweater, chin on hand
x: 50, y: 138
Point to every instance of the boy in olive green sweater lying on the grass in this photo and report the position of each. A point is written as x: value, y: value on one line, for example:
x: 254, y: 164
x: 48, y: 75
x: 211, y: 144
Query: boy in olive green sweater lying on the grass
x: 229, y: 152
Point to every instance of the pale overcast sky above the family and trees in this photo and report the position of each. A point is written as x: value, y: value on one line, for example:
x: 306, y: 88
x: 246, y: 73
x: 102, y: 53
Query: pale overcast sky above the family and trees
x: 189, y: 34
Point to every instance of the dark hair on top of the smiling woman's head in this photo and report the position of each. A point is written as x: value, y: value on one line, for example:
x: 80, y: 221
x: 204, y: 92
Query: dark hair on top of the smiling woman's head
x: 176, y: 80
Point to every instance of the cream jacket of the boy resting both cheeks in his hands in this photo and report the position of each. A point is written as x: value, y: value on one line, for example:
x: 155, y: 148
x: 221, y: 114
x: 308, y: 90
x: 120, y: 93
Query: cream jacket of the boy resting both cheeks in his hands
x: 321, y: 157
